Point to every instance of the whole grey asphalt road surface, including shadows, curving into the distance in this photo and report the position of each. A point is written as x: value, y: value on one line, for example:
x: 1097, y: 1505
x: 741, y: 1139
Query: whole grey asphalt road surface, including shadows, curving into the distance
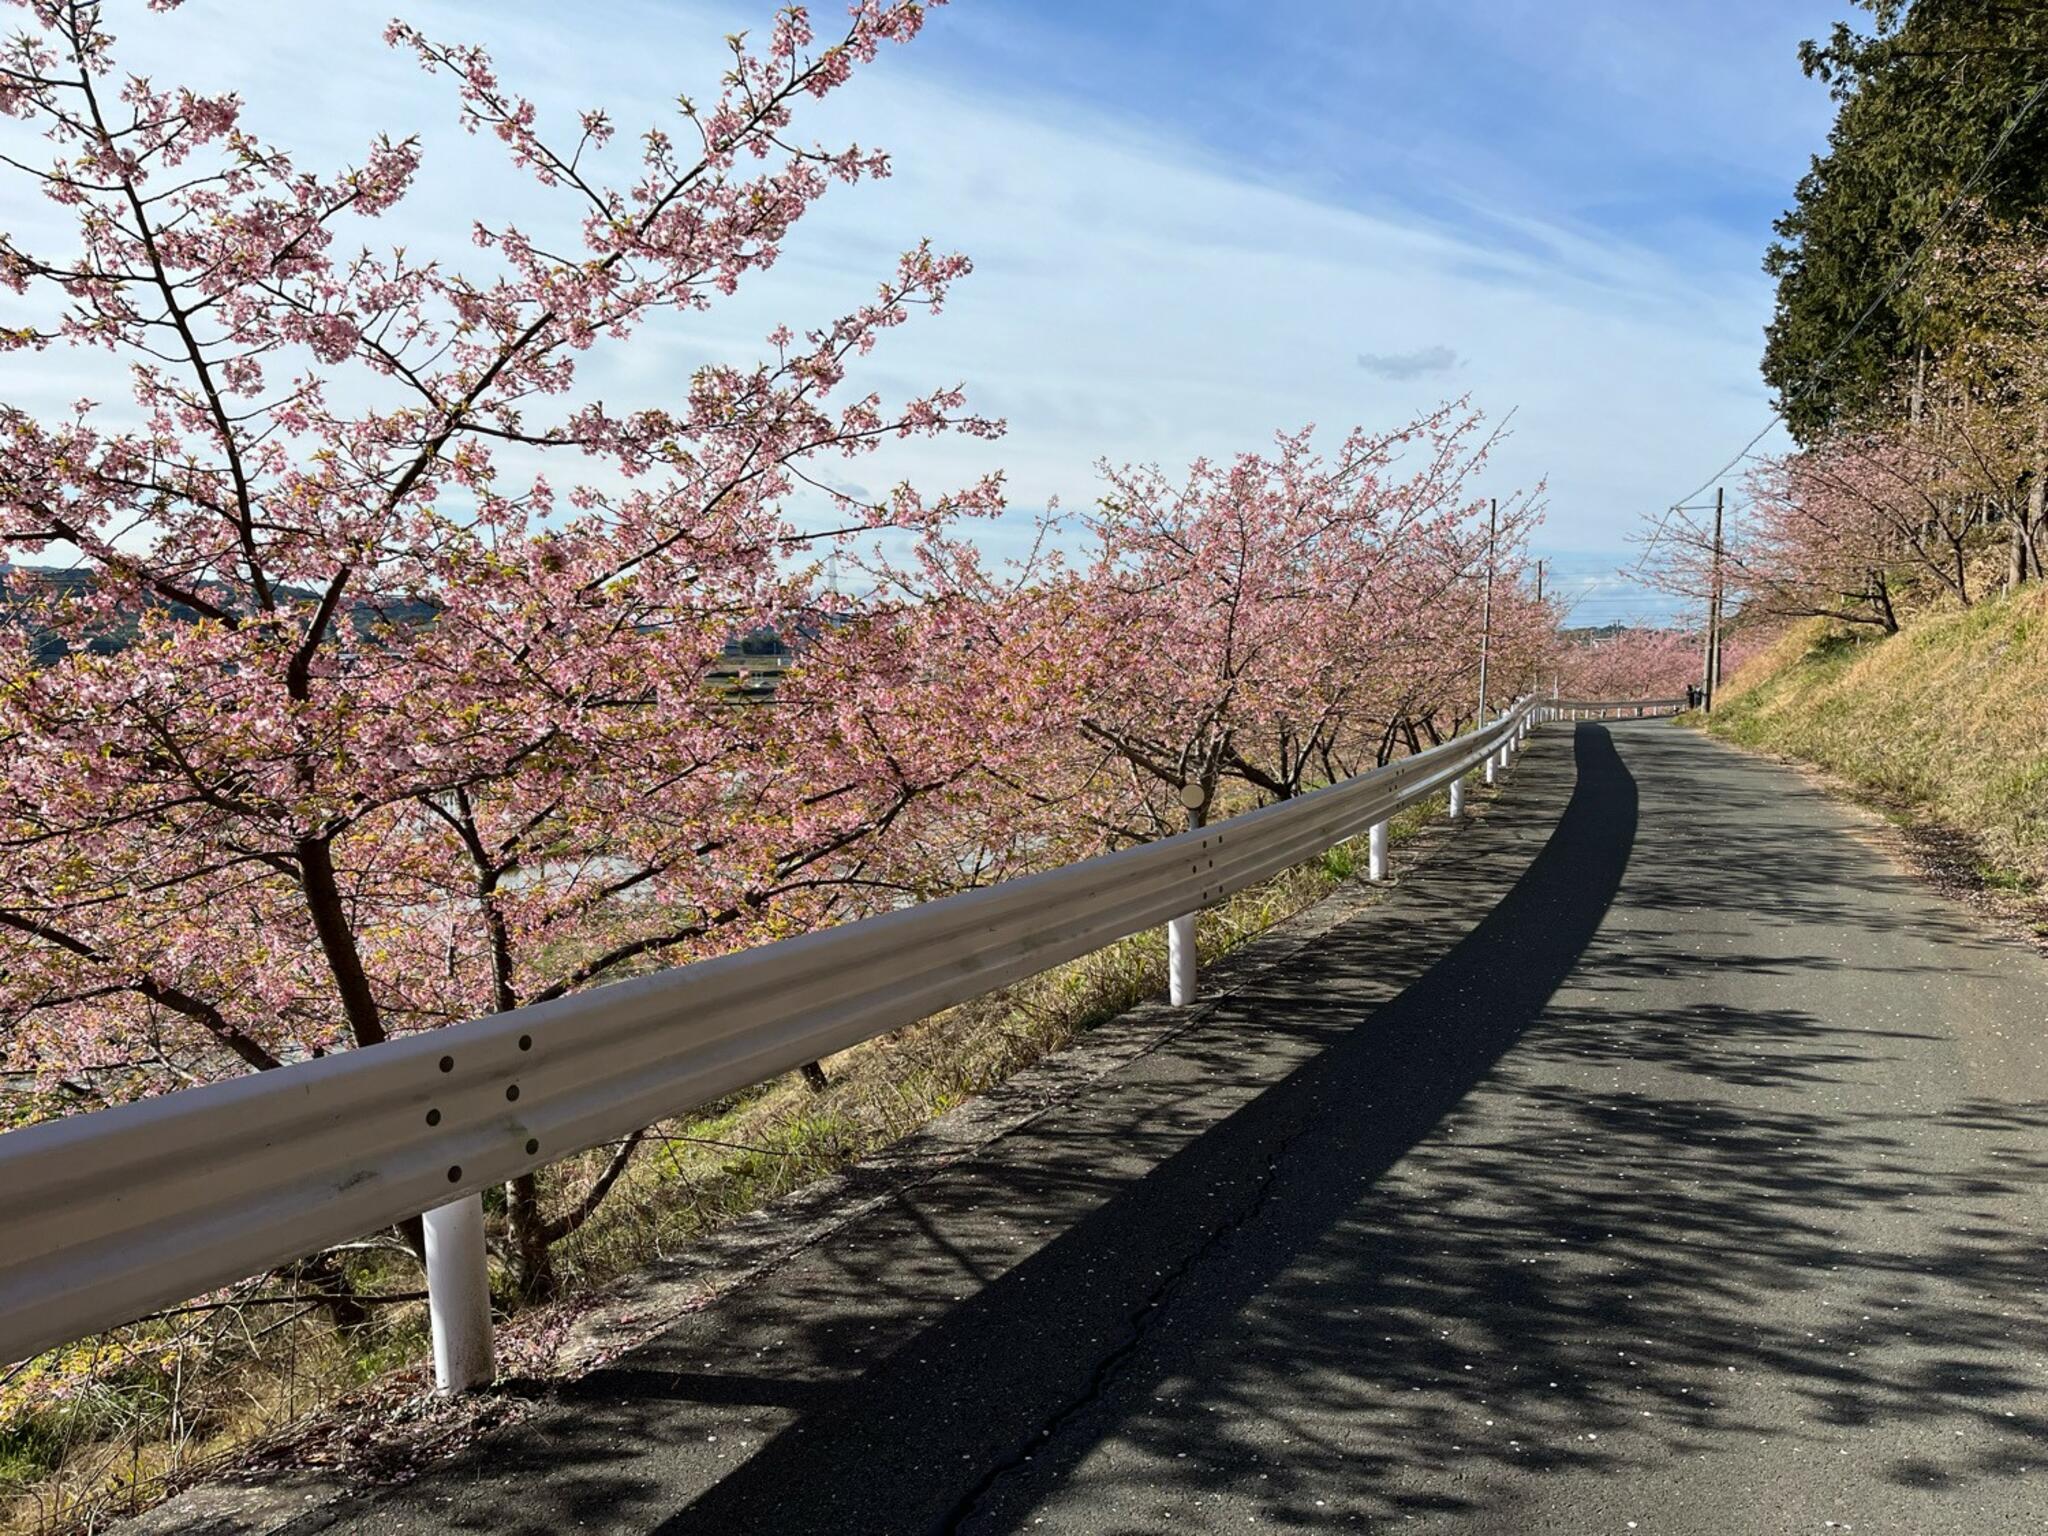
x: 1660, y: 1160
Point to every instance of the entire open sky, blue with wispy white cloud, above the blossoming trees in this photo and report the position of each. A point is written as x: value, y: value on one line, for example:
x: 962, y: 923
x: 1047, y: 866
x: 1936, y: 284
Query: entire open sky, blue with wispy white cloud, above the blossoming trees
x: 1193, y: 224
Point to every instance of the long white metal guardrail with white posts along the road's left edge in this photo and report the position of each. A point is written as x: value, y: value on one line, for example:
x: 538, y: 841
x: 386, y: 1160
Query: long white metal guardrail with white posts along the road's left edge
x: 124, y: 1211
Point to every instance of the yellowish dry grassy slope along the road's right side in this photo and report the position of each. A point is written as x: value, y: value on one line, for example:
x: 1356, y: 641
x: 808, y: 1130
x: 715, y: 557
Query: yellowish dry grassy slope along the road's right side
x: 1945, y: 722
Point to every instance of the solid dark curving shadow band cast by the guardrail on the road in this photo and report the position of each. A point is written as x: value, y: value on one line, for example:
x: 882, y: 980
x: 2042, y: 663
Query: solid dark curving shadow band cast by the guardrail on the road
x: 923, y: 1439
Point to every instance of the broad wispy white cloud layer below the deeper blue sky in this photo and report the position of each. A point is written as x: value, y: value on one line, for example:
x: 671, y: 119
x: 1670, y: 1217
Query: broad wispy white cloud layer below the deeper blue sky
x: 1136, y: 298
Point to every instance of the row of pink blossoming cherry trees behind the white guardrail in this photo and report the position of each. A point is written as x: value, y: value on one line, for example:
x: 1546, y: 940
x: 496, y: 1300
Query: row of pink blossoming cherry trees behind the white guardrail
x: 378, y: 693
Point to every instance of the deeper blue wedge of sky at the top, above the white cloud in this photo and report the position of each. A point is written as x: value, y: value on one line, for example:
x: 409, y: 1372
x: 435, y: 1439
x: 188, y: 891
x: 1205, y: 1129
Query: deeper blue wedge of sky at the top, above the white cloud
x: 1654, y: 124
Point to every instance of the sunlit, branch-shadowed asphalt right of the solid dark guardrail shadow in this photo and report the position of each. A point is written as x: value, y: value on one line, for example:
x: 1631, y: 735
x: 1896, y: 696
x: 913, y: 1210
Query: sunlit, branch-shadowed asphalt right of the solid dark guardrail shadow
x: 1805, y: 1258
